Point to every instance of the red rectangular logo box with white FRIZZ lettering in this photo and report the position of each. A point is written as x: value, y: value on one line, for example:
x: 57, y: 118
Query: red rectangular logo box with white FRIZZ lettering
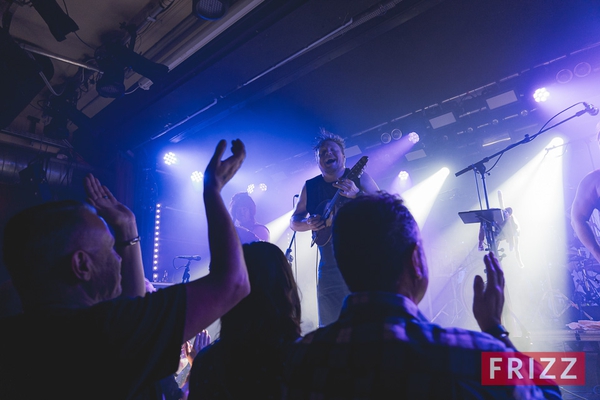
x: 533, y: 368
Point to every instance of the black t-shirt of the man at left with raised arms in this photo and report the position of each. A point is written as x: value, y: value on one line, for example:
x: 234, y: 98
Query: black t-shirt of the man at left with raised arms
x: 107, y: 351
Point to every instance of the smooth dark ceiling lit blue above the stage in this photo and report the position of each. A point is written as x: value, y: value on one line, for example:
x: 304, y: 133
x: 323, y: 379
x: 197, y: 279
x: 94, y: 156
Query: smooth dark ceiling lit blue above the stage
x: 413, y: 55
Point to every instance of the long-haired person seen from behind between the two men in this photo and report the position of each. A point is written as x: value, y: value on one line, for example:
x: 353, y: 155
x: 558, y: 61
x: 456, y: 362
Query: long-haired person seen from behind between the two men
x: 246, y: 361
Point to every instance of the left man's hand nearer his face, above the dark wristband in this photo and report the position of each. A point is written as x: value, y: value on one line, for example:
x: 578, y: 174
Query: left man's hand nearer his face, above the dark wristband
x: 107, y: 206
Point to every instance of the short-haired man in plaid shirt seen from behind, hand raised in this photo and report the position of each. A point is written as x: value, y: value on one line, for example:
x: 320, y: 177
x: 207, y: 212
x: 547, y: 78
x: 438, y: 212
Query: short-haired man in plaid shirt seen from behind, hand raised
x: 382, y: 346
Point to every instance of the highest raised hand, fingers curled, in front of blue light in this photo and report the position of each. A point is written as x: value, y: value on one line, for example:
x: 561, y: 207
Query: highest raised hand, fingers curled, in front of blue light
x: 219, y: 172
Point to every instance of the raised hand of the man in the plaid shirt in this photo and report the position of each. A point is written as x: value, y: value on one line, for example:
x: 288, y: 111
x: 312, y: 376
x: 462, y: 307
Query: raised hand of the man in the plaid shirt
x: 488, y: 299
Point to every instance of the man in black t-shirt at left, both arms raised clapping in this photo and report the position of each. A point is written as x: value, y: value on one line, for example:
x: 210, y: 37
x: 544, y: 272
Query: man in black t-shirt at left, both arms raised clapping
x: 82, y: 291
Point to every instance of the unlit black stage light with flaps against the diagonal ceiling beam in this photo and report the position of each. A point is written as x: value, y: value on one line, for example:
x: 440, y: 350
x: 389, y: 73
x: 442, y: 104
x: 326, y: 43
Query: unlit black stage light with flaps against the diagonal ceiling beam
x: 113, y: 58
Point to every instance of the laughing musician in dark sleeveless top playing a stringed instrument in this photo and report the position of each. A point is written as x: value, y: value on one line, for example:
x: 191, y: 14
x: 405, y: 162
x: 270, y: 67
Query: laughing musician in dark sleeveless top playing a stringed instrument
x: 314, y: 198
